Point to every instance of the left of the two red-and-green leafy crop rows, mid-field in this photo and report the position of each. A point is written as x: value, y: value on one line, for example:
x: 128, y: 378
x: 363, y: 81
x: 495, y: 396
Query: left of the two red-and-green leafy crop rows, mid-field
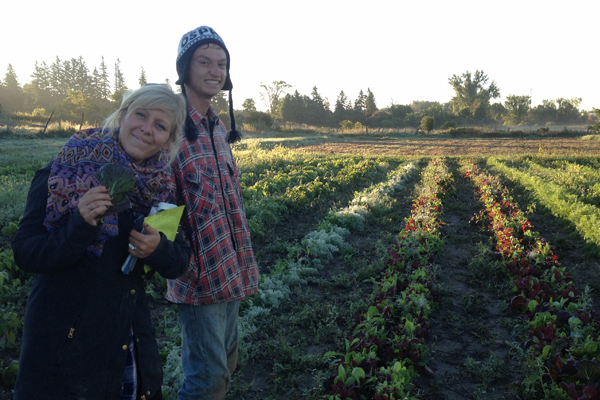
x: 382, y: 357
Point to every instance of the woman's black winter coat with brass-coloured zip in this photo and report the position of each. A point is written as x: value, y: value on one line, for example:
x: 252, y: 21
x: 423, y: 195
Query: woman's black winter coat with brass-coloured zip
x: 81, y: 310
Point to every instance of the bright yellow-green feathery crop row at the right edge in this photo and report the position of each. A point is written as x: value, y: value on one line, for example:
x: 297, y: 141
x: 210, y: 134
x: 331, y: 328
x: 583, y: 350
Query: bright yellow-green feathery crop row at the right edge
x: 584, y: 217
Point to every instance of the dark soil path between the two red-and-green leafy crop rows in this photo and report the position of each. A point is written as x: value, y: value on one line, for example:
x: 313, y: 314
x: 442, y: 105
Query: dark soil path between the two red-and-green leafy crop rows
x: 468, y: 333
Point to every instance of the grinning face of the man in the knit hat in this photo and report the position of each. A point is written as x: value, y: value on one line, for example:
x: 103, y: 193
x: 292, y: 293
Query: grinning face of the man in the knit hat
x: 207, y: 71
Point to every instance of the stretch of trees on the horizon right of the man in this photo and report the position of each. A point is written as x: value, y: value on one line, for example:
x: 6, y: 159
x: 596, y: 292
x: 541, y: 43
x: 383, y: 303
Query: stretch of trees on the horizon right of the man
x: 471, y: 105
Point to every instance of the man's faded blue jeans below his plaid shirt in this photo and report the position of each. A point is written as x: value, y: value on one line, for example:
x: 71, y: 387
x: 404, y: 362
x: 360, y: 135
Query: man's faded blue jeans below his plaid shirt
x: 209, y: 349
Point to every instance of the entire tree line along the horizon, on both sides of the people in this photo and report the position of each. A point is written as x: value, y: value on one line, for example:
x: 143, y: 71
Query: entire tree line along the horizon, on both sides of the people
x: 68, y: 89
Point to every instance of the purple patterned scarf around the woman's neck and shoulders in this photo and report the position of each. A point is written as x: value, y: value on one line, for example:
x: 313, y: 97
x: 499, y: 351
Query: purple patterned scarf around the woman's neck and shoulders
x: 73, y: 174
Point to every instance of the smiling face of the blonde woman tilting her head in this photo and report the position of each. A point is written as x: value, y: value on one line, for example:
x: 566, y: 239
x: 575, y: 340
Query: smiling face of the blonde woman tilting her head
x: 144, y: 133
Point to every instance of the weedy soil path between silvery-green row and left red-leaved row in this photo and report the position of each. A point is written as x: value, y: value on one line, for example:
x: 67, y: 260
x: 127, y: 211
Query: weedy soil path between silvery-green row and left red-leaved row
x: 288, y: 348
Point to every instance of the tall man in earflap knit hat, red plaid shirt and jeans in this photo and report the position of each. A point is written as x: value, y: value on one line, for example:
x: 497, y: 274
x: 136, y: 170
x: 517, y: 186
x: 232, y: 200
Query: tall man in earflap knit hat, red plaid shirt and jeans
x: 223, y: 268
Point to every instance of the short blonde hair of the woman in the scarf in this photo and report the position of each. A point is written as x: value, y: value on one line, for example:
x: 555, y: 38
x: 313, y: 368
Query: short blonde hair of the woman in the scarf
x: 154, y: 96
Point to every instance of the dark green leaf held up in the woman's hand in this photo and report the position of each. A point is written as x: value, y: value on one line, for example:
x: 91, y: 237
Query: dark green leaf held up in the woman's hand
x: 120, y: 180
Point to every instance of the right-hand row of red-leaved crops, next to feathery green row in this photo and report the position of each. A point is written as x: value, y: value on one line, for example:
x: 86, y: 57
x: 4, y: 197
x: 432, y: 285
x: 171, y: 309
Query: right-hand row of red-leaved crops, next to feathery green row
x: 563, y: 332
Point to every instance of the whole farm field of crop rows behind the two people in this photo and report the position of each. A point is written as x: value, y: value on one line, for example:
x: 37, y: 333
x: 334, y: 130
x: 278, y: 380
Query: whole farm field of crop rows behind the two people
x: 394, y: 267
